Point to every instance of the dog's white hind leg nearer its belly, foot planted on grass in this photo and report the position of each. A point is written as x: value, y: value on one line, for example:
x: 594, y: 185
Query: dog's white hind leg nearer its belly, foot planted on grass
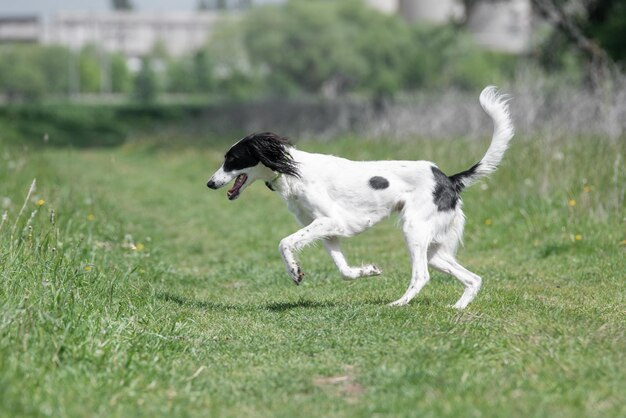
x: 417, y: 239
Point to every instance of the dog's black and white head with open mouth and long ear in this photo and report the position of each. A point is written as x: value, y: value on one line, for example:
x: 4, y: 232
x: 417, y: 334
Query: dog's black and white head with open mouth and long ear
x: 257, y: 156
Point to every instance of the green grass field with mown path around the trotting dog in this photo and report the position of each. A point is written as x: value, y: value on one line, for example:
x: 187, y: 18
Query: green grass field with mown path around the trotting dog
x: 129, y: 289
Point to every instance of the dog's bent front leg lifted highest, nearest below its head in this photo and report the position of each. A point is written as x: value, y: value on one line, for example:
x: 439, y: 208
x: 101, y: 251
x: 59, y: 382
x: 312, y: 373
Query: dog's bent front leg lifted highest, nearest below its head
x: 318, y: 229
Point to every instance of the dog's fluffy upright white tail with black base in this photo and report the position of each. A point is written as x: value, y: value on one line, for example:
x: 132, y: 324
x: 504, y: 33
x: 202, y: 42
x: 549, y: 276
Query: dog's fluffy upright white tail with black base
x: 496, y: 106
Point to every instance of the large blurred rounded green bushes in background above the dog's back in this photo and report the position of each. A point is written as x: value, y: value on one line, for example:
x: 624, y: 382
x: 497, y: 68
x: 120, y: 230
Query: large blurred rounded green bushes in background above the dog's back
x: 340, y: 47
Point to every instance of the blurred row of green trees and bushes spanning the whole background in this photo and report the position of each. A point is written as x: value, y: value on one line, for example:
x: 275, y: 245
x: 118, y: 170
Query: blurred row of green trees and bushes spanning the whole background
x: 302, y: 47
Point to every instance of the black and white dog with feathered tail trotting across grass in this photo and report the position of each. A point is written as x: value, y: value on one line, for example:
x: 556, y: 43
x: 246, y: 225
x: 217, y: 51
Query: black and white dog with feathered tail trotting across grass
x: 334, y: 197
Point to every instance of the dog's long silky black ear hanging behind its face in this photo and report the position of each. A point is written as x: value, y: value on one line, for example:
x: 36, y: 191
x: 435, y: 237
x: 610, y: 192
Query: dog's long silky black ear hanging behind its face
x: 272, y: 151
